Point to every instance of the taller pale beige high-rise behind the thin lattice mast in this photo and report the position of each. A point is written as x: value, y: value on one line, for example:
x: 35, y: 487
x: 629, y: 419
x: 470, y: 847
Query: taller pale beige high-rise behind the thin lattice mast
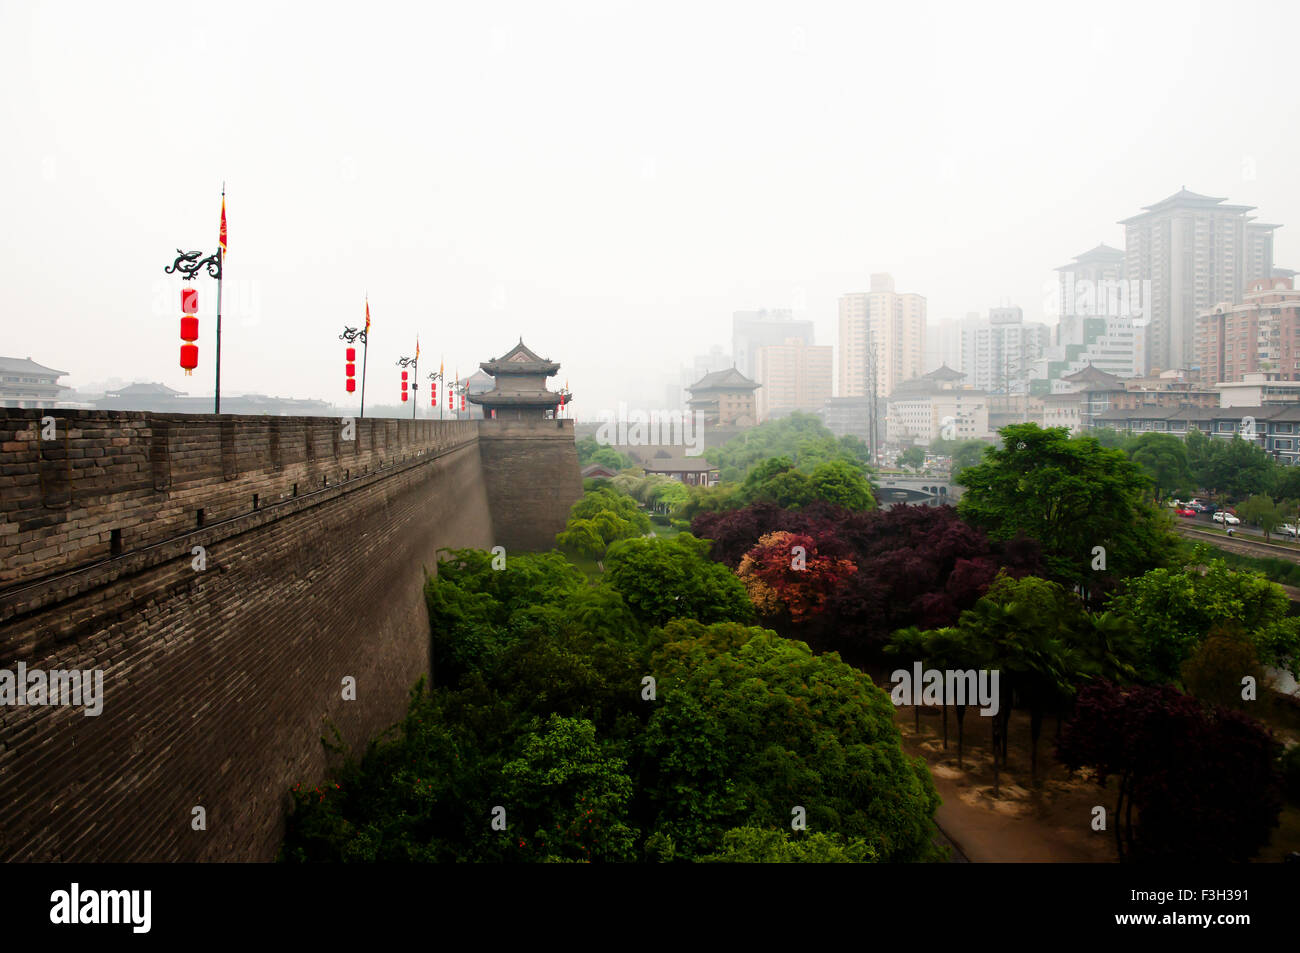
x: 895, y: 324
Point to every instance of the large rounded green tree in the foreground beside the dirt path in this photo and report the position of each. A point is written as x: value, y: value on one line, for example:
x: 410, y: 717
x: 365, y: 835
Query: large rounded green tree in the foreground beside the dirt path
x: 749, y: 725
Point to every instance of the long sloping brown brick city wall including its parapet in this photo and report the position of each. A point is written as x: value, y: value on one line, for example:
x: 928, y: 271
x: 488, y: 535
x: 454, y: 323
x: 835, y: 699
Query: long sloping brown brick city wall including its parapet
x: 218, y: 685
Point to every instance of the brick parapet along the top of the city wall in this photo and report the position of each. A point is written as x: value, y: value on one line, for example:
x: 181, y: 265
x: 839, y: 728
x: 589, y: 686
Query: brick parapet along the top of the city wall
x: 112, y: 483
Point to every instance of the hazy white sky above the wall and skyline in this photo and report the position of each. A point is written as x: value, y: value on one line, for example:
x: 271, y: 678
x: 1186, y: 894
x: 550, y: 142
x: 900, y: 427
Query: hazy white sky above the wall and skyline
x: 608, y: 180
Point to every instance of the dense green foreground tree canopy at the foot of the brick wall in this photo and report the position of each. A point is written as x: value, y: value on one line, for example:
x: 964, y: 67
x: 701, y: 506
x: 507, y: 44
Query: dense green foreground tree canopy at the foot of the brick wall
x: 541, y: 721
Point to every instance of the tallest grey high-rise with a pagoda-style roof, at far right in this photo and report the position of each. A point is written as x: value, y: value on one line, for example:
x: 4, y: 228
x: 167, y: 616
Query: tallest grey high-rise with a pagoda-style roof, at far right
x: 1197, y: 253
